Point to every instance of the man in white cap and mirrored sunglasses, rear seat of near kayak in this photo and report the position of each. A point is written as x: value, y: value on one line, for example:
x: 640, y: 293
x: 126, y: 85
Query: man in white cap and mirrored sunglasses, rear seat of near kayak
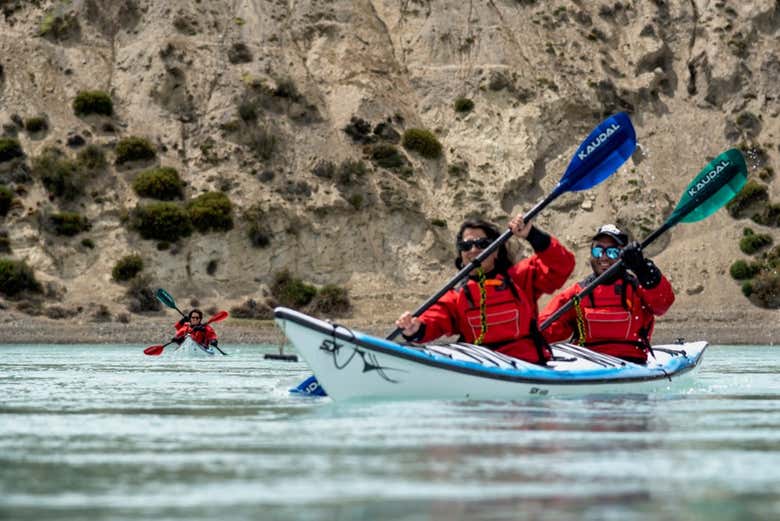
x: 617, y: 318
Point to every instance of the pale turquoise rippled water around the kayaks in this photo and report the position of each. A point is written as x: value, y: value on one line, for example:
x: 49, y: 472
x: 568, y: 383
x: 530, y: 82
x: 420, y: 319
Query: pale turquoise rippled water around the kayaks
x: 106, y: 433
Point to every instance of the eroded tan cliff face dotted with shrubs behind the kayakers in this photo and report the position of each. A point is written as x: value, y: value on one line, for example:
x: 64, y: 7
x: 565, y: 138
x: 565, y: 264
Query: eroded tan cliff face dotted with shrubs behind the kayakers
x: 253, y: 98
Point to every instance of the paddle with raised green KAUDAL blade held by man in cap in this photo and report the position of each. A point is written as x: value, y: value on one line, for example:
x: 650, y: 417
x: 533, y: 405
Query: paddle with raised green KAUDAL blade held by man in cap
x: 716, y: 184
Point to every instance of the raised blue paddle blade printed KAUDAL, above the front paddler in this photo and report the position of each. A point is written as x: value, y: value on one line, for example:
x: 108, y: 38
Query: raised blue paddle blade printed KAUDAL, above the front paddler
x: 606, y: 148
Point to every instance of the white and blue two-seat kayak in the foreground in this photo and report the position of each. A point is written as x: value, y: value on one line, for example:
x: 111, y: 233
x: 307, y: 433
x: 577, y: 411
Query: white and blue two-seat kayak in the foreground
x: 351, y: 365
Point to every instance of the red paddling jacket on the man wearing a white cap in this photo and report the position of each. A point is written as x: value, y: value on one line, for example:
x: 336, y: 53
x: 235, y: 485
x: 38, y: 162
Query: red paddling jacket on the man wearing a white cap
x: 617, y: 317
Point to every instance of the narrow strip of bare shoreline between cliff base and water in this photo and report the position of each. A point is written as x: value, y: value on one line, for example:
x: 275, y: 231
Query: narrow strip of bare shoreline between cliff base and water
x: 724, y: 328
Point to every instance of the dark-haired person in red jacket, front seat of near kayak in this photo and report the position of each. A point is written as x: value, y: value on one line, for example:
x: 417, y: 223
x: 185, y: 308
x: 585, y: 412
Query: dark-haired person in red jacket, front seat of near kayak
x: 496, y: 305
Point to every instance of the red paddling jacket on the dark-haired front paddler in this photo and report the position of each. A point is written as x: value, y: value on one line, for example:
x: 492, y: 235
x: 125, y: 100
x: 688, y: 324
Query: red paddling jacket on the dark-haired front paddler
x: 511, y: 307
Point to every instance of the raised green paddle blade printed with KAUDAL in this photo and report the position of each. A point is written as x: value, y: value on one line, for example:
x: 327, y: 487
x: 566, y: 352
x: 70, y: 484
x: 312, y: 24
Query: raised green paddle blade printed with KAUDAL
x: 717, y: 184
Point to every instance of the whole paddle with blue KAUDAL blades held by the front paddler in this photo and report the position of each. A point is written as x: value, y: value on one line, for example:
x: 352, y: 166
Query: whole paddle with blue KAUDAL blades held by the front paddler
x: 605, y: 149
